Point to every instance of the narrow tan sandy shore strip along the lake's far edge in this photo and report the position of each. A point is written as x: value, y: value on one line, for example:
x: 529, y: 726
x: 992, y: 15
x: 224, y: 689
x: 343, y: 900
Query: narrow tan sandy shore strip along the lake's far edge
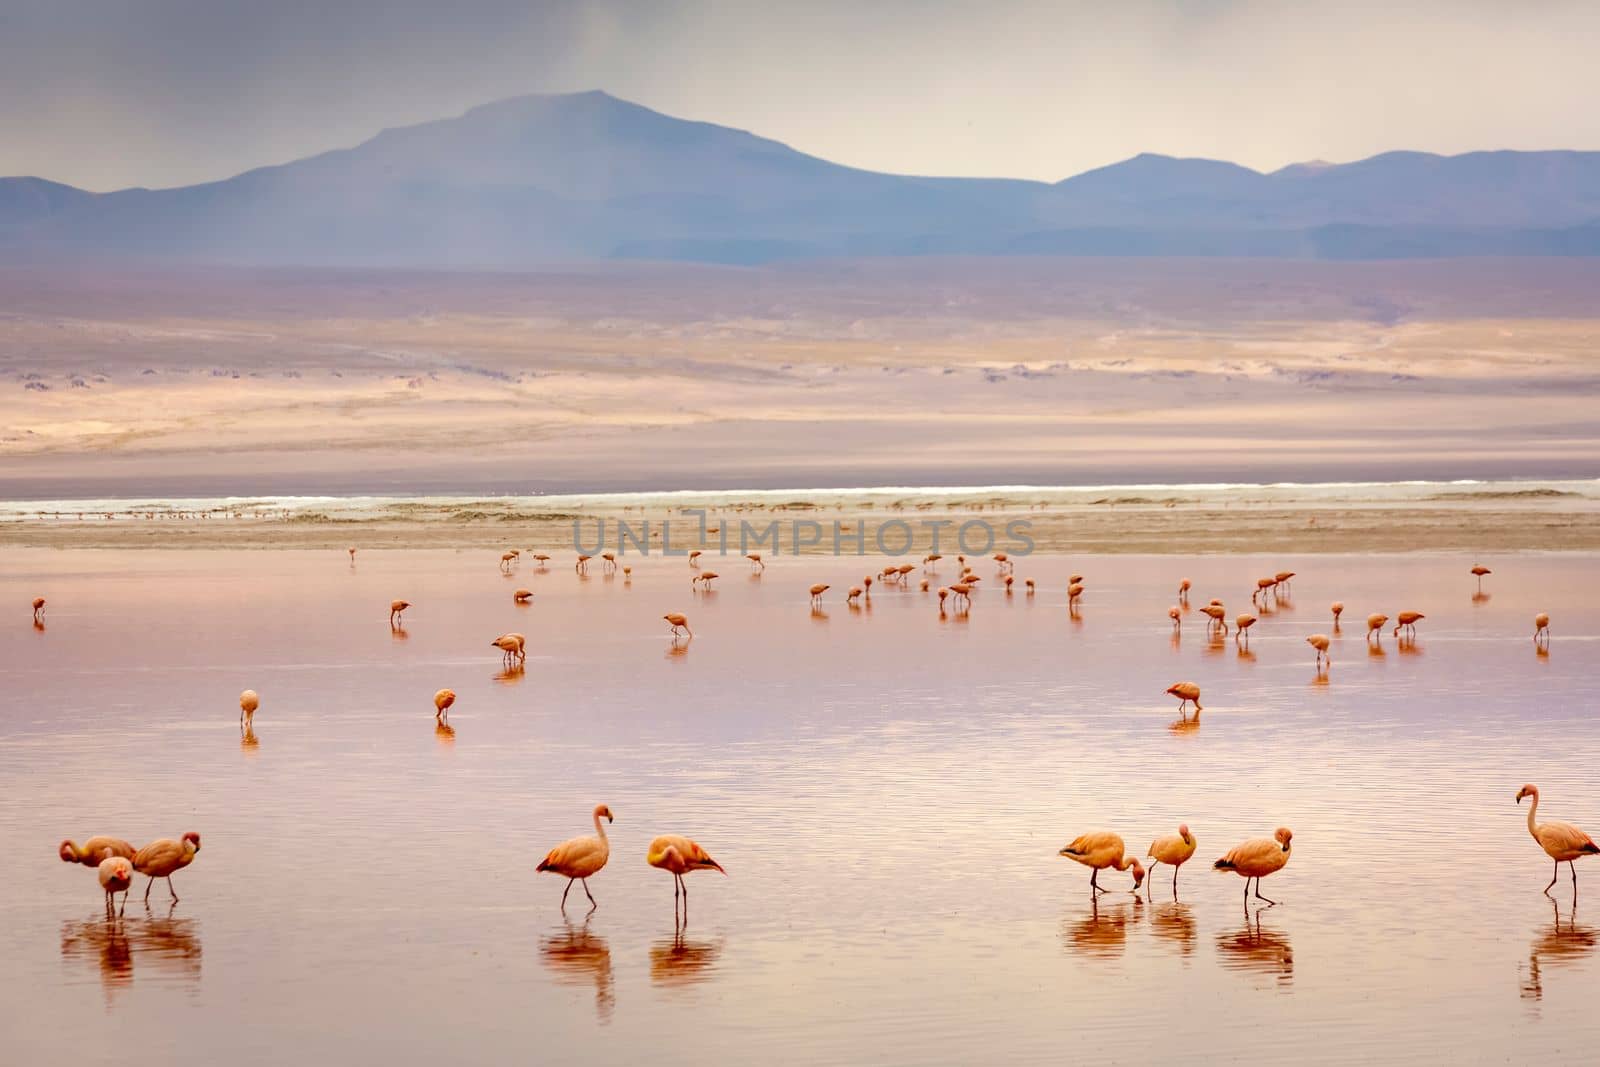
x: 1450, y: 522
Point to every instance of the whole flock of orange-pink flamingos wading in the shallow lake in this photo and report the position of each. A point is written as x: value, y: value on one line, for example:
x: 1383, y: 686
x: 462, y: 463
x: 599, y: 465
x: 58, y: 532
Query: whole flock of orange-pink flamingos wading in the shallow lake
x: 578, y: 860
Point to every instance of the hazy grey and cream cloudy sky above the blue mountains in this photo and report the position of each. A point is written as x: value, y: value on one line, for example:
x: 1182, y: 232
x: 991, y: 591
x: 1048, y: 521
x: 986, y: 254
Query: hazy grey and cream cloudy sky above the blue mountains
x: 110, y: 94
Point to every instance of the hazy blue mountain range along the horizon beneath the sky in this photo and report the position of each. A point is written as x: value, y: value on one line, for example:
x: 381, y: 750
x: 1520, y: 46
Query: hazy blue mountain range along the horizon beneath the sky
x: 588, y: 177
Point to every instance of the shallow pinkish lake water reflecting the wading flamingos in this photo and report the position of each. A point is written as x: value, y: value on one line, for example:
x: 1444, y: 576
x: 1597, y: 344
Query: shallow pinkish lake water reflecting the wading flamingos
x: 887, y: 789
